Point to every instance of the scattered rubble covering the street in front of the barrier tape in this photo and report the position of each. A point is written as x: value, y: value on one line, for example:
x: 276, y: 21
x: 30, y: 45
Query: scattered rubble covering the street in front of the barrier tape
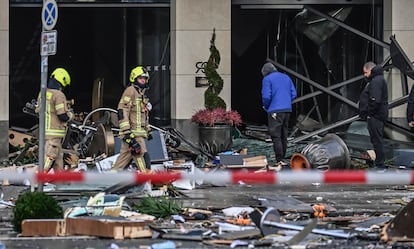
x: 276, y: 221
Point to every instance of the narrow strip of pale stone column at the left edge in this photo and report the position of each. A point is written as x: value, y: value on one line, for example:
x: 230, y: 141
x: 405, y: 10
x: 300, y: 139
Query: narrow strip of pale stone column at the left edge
x: 4, y: 79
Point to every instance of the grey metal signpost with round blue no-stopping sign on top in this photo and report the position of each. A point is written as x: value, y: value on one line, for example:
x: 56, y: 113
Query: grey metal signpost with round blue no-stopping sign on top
x: 48, y: 47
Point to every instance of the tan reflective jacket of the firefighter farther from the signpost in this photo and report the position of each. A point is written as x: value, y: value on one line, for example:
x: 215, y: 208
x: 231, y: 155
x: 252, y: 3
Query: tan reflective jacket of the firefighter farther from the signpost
x: 133, y: 113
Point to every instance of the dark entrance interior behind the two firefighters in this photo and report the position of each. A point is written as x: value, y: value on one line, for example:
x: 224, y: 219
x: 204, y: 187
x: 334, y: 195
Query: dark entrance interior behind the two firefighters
x: 94, y: 42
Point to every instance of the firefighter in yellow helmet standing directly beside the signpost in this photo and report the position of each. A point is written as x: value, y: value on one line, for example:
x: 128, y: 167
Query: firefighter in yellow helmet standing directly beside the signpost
x: 57, y: 114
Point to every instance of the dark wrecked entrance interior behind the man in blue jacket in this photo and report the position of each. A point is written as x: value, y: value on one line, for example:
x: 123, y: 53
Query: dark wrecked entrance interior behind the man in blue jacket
x: 307, y: 44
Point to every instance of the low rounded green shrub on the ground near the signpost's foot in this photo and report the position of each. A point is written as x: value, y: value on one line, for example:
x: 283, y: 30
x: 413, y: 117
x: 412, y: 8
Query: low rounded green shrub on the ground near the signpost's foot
x: 35, y: 205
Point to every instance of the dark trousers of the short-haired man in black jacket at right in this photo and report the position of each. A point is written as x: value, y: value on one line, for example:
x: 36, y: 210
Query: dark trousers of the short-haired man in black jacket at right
x: 376, y: 133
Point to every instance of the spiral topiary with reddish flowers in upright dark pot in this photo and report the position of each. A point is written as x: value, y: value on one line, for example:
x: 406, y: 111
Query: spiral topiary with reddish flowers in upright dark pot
x: 215, y: 122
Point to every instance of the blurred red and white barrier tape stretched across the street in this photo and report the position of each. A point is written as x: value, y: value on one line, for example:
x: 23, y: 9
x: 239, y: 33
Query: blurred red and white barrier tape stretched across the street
x: 294, y: 177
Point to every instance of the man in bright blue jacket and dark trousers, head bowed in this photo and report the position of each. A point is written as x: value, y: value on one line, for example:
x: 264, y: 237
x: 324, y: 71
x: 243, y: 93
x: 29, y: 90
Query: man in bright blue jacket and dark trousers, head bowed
x: 278, y: 92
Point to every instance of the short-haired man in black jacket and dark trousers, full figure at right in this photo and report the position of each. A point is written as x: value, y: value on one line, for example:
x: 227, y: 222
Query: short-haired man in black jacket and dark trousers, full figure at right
x: 373, y: 107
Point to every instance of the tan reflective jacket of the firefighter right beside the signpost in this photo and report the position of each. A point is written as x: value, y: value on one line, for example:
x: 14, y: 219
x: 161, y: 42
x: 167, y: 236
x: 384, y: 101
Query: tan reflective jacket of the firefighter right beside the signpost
x: 56, y: 105
